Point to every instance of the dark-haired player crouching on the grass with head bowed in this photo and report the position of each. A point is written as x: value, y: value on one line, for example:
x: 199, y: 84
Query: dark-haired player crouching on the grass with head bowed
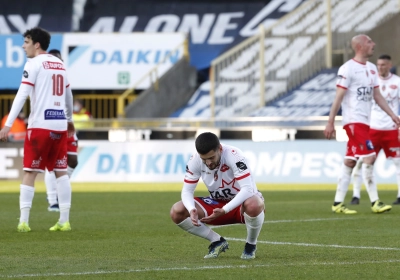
x: 234, y: 197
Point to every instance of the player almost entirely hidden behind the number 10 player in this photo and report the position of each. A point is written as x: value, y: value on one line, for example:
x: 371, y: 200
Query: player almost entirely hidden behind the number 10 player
x: 72, y: 162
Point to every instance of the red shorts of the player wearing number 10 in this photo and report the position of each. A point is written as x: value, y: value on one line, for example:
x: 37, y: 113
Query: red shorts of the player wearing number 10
x: 45, y: 149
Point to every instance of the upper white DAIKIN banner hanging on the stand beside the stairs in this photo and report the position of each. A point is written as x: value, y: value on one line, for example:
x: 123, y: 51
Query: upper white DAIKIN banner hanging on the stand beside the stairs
x: 116, y: 60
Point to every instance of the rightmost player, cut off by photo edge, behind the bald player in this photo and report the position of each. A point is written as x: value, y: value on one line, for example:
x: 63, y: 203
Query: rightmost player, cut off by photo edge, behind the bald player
x: 383, y: 133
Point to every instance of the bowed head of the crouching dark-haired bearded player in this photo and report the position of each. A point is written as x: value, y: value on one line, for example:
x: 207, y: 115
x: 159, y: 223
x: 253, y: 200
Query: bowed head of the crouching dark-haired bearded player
x: 209, y: 149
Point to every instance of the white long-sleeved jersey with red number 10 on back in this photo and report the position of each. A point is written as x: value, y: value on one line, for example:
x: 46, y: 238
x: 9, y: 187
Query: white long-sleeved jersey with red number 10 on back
x: 49, y: 93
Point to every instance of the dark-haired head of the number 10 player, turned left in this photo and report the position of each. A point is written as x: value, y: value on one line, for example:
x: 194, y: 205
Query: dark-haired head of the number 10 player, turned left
x: 36, y: 40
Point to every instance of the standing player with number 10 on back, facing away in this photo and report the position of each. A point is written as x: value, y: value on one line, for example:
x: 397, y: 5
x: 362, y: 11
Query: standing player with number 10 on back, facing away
x: 44, y: 80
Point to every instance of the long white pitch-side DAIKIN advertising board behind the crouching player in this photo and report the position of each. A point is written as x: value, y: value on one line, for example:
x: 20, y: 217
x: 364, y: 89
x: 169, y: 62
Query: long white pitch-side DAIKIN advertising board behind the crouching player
x: 315, y: 161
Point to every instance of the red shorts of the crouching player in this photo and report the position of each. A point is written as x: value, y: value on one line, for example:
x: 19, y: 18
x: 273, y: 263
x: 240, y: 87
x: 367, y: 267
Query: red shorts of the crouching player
x: 208, y: 205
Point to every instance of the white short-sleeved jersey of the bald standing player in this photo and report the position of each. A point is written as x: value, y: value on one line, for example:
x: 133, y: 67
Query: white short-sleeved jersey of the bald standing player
x: 359, y: 80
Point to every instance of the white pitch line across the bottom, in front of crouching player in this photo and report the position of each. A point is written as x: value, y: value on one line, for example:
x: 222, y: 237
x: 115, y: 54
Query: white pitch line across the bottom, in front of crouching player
x: 155, y: 269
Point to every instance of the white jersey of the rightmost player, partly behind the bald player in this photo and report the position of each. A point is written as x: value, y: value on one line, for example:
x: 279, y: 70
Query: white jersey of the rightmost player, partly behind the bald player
x: 390, y: 90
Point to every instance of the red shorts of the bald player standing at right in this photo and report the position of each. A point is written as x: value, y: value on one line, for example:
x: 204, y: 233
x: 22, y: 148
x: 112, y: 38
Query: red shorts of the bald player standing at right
x: 360, y: 144
